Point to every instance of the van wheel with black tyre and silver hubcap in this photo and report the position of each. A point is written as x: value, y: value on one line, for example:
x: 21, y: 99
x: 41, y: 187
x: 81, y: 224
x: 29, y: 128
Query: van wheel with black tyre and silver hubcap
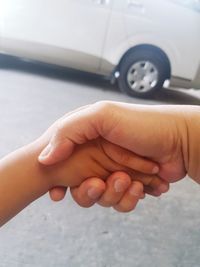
x: 142, y: 73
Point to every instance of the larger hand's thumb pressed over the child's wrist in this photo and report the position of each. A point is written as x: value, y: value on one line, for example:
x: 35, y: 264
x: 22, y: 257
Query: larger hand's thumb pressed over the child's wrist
x: 74, y: 128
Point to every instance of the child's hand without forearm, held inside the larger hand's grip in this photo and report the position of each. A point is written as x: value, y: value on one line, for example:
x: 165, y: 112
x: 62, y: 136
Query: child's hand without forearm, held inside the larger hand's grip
x: 101, y: 158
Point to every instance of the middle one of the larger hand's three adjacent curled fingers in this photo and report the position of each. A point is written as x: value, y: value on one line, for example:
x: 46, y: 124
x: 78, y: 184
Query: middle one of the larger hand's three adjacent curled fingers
x: 116, y: 186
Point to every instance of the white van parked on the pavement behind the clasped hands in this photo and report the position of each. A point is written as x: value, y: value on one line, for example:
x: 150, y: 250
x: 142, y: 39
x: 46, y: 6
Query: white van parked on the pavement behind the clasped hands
x: 141, y: 43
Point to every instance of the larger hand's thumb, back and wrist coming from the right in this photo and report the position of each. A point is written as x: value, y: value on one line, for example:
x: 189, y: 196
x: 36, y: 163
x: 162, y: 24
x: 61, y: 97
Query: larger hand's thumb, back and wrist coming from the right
x: 168, y: 135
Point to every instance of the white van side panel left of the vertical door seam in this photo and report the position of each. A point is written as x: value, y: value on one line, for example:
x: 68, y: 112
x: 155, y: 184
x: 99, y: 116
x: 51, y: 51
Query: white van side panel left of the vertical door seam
x: 65, y: 32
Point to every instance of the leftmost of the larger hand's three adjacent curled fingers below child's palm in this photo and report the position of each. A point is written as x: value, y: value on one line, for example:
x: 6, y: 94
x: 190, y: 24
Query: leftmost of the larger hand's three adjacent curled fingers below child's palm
x: 88, y: 193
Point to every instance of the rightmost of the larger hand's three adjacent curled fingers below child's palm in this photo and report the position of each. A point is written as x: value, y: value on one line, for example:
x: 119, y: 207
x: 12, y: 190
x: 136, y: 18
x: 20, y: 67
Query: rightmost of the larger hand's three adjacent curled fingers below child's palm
x: 130, y: 198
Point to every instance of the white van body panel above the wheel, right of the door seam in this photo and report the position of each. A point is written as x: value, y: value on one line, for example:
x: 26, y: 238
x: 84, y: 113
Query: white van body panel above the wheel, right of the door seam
x: 177, y: 34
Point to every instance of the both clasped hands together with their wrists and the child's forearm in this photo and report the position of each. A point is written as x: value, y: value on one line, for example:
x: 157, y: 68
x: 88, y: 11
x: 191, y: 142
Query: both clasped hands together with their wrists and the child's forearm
x: 109, y: 152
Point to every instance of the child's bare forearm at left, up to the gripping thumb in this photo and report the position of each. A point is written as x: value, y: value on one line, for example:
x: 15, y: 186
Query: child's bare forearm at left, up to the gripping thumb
x: 22, y: 180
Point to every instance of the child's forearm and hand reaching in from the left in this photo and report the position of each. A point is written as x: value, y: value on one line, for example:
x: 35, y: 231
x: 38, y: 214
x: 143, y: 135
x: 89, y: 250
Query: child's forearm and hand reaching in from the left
x: 23, y: 179
